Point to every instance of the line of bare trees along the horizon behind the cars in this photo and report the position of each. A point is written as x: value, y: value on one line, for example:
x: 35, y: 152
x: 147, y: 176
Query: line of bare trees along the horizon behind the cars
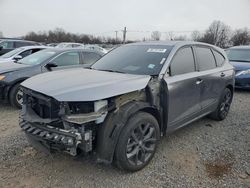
x: 218, y: 33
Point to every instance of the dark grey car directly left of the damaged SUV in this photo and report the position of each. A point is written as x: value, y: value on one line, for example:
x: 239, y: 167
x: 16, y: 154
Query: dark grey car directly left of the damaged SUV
x: 13, y: 73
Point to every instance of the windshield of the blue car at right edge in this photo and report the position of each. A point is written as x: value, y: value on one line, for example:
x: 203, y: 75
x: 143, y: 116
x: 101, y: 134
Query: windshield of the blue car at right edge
x: 242, y: 55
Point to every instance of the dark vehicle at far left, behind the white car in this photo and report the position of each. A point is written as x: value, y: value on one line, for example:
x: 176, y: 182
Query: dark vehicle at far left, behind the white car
x: 7, y: 45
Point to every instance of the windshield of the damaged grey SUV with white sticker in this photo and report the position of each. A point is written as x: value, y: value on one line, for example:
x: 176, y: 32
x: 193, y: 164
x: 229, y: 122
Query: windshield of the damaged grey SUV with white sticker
x: 135, y: 59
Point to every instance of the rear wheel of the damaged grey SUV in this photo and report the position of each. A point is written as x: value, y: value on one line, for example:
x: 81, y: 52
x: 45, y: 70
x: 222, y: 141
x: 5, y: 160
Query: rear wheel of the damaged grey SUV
x: 223, y: 107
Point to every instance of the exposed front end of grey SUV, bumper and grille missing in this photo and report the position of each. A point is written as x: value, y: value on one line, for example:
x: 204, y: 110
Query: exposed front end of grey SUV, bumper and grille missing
x: 65, y: 126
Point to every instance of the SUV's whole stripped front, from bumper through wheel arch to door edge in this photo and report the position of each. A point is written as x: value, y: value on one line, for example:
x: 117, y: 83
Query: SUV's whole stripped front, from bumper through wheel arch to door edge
x: 92, y: 126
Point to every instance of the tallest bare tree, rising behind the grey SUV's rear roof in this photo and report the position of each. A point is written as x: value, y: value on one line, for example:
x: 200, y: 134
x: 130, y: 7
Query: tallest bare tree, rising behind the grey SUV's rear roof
x: 217, y: 34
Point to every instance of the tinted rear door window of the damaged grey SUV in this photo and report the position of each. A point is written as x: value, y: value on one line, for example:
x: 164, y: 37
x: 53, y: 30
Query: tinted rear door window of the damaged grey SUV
x: 205, y: 58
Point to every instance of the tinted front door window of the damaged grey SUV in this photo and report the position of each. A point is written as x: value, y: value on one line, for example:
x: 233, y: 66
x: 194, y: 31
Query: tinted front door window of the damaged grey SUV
x: 183, y: 62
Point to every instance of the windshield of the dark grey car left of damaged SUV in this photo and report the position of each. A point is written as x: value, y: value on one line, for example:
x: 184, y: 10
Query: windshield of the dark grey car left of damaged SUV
x: 37, y: 58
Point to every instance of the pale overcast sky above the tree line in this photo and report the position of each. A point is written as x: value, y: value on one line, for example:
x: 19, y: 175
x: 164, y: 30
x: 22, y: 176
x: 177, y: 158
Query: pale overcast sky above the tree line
x: 103, y: 18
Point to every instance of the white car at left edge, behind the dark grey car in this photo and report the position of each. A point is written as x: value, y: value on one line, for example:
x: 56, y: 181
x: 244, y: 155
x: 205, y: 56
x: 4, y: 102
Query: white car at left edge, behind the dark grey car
x: 19, y: 53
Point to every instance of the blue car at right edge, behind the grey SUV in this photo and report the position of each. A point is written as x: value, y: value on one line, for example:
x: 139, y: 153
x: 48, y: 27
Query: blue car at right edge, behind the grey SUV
x: 239, y: 57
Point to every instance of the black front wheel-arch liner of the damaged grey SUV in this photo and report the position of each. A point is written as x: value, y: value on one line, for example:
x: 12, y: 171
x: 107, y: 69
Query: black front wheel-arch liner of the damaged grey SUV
x: 110, y: 130
